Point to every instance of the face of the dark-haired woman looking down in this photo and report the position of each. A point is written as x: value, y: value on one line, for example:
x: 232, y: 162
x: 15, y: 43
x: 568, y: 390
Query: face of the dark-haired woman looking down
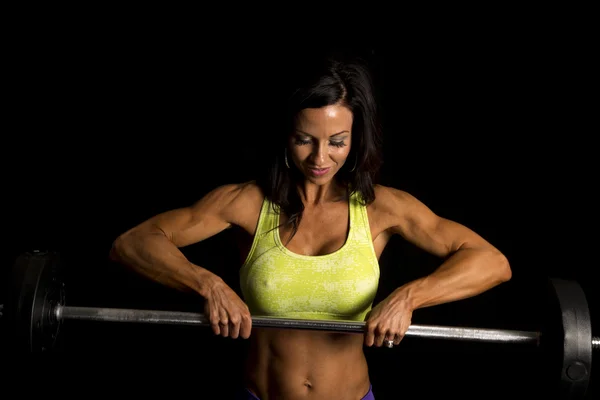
x: 320, y: 143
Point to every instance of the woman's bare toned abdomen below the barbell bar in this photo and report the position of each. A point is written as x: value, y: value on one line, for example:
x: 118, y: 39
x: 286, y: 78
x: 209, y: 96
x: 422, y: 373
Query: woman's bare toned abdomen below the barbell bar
x: 296, y: 364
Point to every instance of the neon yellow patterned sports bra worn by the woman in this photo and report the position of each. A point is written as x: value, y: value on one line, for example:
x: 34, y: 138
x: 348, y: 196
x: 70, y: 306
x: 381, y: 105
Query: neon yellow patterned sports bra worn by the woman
x: 277, y: 282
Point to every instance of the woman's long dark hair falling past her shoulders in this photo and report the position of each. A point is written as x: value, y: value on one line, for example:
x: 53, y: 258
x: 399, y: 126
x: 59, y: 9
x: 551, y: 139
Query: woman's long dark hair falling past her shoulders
x: 334, y: 79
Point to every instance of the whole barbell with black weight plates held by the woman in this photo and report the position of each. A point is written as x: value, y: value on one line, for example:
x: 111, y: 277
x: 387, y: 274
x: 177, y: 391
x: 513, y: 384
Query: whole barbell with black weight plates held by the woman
x: 36, y: 310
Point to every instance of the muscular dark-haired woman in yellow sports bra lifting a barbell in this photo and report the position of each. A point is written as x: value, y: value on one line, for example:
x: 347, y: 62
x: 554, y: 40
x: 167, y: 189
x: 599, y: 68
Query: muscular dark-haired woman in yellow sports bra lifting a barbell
x: 315, y: 226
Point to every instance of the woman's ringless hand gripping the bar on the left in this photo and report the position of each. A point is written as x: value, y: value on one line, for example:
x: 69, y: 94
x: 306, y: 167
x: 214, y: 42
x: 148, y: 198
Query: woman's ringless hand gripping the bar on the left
x: 227, y: 313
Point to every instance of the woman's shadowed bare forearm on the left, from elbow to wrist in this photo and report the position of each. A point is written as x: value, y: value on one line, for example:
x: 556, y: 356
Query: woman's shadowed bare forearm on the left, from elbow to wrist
x: 154, y: 256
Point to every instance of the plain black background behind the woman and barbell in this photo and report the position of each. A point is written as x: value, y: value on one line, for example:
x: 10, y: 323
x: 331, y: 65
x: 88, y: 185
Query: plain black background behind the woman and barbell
x: 116, y: 120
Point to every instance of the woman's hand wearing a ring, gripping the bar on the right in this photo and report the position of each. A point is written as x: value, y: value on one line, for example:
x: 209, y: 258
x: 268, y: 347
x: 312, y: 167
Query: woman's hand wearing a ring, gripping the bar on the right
x: 388, y: 320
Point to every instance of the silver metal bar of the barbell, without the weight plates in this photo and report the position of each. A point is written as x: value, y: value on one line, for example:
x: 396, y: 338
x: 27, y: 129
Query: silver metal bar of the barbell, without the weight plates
x: 190, y: 318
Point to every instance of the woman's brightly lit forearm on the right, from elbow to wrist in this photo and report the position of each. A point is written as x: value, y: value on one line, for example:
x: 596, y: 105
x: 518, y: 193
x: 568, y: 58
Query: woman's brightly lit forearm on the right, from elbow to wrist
x: 467, y: 273
